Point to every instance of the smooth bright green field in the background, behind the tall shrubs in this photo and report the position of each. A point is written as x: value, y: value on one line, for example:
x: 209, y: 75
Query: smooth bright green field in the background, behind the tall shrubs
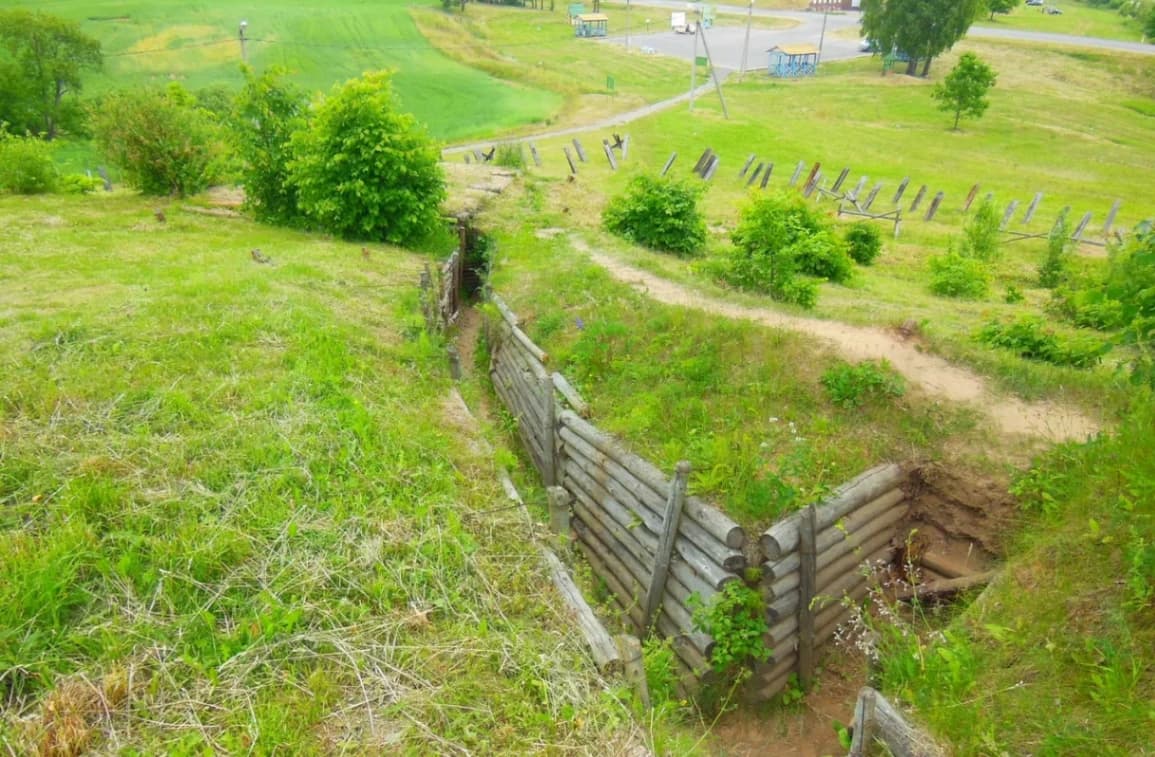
x: 197, y: 44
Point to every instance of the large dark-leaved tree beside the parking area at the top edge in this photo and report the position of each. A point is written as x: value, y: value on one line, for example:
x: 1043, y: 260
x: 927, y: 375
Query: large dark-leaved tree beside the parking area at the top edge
x: 921, y: 29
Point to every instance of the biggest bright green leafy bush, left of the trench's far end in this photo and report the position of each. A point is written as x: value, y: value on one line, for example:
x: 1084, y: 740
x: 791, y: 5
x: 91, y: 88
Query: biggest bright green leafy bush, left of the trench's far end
x: 364, y: 169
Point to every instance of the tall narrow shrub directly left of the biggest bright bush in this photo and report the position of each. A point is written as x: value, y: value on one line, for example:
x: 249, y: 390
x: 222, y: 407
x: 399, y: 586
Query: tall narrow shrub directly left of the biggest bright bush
x: 266, y: 114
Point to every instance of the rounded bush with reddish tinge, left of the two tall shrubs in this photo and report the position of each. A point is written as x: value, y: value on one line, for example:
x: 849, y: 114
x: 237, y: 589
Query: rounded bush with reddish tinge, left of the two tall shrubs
x: 162, y: 140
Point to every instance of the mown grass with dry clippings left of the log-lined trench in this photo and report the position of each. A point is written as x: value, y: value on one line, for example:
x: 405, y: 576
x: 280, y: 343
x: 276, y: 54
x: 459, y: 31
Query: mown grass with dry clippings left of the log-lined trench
x: 237, y: 516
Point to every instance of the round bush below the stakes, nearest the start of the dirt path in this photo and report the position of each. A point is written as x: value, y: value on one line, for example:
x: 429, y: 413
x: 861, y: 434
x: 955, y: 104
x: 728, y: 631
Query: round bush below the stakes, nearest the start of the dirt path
x: 659, y: 213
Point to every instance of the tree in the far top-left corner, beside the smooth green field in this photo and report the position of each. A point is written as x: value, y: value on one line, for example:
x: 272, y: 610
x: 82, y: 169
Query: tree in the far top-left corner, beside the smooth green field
x: 42, y: 58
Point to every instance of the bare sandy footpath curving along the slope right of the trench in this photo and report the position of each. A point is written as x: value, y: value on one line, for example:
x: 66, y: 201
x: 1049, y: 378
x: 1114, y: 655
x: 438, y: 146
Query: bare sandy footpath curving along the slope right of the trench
x: 933, y: 375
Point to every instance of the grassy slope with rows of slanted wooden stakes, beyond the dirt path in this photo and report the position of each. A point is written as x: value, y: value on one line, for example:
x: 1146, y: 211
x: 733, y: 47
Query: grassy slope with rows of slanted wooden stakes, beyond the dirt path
x: 1070, y: 125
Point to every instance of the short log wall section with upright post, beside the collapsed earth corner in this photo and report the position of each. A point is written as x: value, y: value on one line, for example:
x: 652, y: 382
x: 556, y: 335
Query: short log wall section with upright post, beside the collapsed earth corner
x: 854, y: 529
